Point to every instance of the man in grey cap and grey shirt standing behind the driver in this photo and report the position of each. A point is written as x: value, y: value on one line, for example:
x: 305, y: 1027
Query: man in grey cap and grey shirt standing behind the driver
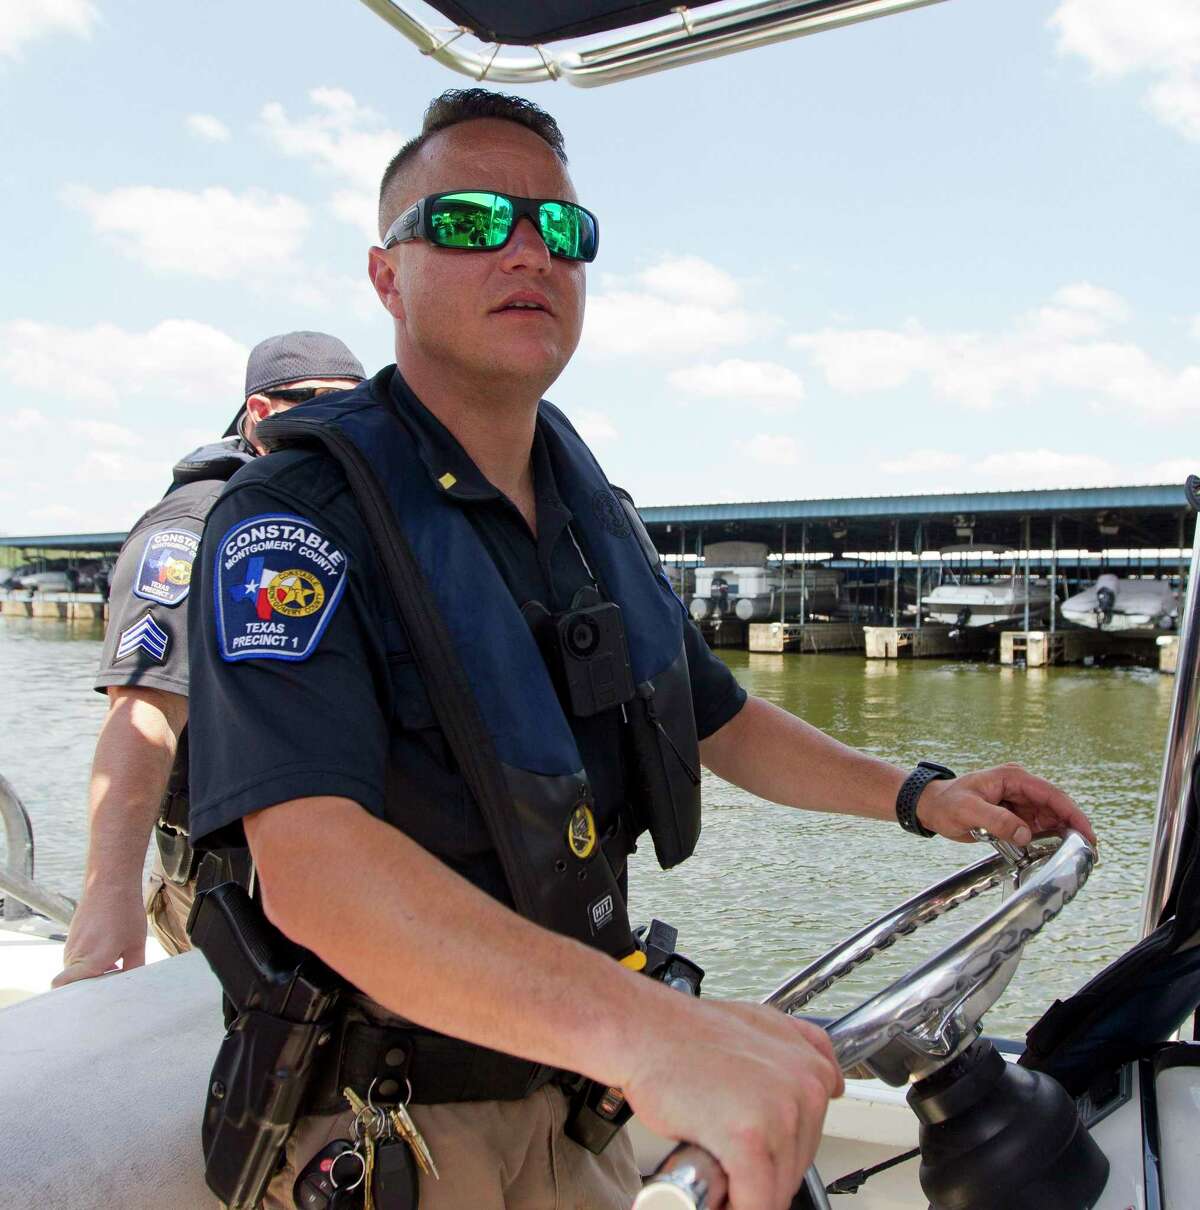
x: 141, y: 764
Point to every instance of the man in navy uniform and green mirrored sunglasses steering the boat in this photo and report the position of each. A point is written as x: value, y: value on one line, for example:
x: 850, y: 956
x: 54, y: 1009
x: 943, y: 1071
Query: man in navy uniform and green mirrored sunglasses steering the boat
x: 397, y: 696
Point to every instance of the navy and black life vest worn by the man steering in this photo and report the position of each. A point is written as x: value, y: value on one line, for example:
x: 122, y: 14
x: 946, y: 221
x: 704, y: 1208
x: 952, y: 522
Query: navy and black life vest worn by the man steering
x: 520, y: 757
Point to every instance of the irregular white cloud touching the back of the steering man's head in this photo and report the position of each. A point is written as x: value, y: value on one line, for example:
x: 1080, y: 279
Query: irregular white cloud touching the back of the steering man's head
x: 344, y: 140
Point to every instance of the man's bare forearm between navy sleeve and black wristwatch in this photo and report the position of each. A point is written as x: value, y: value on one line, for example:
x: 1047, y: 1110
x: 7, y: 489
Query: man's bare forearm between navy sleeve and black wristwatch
x: 778, y: 757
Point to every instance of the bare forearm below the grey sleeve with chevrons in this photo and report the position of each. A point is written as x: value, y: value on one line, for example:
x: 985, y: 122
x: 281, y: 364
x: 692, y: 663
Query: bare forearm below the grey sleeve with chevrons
x: 134, y: 758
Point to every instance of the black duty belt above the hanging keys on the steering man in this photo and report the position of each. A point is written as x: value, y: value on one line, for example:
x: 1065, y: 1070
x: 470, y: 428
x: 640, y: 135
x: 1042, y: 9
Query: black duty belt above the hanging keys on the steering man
x: 440, y: 1070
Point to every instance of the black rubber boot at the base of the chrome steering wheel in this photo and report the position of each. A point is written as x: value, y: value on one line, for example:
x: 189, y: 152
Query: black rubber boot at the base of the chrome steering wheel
x: 995, y: 1137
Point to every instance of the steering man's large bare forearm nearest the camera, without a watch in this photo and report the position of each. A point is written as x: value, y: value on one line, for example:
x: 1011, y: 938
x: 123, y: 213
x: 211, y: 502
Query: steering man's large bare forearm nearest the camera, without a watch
x: 426, y: 944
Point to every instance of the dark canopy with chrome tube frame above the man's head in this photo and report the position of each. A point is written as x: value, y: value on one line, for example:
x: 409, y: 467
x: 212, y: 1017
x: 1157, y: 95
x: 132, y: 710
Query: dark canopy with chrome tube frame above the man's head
x: 627, y: 38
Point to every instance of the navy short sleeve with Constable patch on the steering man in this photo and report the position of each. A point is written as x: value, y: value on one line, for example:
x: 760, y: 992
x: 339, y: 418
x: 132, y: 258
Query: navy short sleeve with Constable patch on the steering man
x: 287, y: 694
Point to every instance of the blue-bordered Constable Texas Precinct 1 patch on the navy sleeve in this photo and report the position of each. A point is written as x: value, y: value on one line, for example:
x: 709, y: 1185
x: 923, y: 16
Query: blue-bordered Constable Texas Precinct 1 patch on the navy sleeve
x: 278, y: 581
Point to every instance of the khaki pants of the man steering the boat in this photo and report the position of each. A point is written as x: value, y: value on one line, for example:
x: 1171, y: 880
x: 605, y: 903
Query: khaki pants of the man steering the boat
x: 492, y: 1156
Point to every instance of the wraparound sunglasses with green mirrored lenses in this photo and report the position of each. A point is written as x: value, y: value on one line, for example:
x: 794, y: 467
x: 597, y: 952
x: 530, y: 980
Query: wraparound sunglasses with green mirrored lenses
x: 481, y: 221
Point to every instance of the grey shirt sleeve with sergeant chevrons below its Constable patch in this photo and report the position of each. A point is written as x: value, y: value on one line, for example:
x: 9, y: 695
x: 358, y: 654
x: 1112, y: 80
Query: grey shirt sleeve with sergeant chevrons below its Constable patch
x: 146, y: 643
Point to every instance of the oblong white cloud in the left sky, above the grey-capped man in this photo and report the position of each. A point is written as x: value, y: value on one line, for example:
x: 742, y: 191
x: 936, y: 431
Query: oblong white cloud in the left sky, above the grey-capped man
x: 212, y: 234
